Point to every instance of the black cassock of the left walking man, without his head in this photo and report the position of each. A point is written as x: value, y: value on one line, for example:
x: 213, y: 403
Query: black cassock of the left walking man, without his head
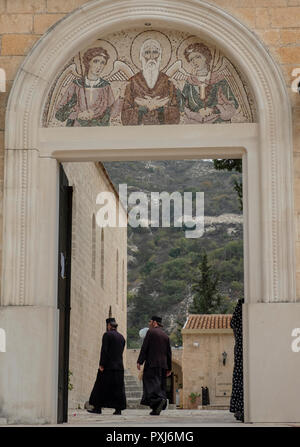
x: 109, y: 388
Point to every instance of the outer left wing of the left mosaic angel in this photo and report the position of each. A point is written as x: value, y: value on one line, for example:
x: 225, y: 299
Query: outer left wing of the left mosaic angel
x: 63, y: 81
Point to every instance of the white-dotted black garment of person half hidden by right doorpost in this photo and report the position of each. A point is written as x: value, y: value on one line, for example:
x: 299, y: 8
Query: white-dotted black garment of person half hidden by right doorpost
x: 237, y: 395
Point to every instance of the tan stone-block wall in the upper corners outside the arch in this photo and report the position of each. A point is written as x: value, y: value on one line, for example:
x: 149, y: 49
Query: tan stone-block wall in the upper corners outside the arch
x: 275, y: 22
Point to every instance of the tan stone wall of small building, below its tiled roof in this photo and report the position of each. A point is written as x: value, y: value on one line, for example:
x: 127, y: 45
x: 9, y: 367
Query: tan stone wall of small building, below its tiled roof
x: 203, y: 364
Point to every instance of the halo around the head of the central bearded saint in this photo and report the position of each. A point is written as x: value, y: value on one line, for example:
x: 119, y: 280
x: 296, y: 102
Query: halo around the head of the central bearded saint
x: 151, y: 34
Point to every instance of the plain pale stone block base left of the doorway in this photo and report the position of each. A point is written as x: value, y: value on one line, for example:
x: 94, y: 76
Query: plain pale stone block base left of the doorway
x: 28, y: 368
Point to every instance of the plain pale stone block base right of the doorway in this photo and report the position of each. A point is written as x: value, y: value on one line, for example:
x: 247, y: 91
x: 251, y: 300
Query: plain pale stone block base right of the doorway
x: 271, y: 368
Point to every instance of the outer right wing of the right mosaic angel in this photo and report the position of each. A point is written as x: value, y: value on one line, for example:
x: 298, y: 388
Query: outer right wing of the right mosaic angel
x: 223, y: 69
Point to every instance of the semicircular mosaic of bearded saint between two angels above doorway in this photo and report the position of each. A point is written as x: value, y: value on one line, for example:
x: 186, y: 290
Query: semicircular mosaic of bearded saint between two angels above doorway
x: 146, y: 78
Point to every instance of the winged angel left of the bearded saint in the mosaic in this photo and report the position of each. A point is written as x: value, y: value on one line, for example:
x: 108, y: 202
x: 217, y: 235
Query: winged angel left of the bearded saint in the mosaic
x: 86, y: 99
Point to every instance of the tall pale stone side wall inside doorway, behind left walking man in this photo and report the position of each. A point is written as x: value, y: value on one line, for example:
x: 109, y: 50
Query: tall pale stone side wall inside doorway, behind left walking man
x: 92, y: 293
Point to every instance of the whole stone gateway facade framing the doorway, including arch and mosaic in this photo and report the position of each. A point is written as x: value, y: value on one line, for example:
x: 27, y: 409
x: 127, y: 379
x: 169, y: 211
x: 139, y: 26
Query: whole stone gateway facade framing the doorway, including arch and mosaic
x: 224, y: 84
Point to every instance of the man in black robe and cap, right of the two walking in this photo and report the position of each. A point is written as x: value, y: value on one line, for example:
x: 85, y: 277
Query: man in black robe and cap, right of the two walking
x: 157, y: 355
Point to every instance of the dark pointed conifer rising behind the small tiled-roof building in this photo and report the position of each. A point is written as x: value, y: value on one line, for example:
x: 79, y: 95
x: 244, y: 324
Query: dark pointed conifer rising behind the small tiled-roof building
x: 206, y: 300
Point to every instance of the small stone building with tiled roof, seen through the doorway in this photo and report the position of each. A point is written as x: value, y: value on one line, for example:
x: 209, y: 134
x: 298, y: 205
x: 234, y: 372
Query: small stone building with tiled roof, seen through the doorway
x: 207, y: 358
